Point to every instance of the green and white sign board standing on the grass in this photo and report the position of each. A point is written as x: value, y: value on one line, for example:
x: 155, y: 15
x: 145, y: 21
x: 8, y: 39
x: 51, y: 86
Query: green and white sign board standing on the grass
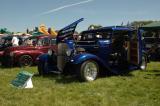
x: 23, y: 80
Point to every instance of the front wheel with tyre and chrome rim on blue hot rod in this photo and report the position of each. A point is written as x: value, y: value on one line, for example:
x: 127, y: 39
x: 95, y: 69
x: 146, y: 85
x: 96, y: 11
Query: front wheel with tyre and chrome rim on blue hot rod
x: 88, y: 71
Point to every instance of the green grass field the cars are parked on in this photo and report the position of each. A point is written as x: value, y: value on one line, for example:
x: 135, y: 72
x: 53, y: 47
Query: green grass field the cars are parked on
x: 138, y: 88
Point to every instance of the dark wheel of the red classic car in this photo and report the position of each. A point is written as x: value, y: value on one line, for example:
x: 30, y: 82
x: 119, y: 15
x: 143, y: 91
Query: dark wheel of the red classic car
x: 25, y: 60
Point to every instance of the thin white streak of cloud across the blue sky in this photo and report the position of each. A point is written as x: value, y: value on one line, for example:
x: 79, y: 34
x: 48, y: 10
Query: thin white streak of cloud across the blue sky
x: 65, y: 6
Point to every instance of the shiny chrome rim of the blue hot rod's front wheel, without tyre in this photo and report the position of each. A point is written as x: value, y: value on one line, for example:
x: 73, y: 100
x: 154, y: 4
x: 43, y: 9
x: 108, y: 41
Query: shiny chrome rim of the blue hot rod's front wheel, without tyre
x: 90, y: 71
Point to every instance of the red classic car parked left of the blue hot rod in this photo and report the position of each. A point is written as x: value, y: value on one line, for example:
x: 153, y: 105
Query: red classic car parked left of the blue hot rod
x: 31, y: 48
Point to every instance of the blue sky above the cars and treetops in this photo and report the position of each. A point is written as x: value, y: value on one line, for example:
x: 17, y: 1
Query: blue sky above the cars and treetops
x: 18, y: 15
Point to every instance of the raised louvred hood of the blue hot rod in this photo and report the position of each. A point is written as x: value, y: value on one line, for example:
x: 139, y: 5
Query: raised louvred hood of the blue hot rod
x: 68, y: 31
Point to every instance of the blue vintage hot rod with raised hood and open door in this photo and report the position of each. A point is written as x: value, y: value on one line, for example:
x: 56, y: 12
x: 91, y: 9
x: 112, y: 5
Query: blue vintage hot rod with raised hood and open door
x: 107, y: 49
